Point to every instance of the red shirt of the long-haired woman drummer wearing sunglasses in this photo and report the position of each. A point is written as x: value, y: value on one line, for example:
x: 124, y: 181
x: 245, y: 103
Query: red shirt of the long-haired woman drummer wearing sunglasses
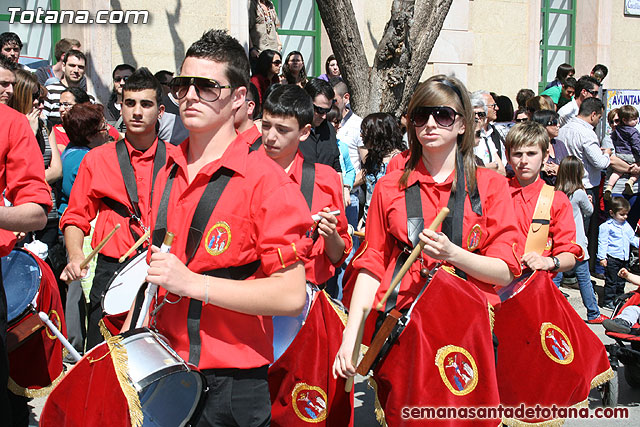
x: 493, y: 234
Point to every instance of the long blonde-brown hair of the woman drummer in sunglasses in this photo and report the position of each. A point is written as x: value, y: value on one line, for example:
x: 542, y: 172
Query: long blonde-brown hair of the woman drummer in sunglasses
x: 443, y: 90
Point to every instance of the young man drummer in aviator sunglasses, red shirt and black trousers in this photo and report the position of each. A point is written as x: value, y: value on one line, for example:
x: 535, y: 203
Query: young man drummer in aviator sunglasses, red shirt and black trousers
x: 250, y: 239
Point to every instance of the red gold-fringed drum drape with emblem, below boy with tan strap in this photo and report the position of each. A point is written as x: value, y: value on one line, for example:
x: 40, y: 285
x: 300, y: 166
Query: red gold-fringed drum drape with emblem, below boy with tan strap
x: 546, y: 353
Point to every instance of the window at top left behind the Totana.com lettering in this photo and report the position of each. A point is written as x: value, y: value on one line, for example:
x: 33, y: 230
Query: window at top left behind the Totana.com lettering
x: 38, y: 39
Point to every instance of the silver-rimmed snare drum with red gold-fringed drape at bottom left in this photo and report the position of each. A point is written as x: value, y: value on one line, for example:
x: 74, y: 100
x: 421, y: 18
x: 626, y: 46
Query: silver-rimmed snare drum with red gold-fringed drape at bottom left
x: 170, y: 391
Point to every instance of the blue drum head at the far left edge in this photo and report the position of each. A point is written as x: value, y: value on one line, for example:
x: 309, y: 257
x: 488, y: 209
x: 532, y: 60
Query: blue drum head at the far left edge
x: 21, y: 276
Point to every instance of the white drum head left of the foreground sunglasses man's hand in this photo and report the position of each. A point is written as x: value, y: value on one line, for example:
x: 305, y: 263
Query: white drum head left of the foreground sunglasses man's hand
x: 124, y: 286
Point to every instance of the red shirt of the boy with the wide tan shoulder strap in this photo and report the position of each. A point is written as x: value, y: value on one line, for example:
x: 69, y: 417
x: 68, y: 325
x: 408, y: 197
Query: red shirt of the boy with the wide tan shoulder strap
x: 562, y: 227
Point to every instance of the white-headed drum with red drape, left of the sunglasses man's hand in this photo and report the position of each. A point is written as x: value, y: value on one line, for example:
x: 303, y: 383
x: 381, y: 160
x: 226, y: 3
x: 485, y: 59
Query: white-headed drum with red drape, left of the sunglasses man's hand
x: 122, y: 290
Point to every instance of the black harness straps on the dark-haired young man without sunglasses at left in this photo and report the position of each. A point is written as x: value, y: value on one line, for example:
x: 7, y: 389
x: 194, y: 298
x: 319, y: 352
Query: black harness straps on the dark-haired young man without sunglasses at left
x: 129, y: 177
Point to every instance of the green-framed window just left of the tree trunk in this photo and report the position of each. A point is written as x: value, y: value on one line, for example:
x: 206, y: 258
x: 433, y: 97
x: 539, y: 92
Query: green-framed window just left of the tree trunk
x: 300, y: 30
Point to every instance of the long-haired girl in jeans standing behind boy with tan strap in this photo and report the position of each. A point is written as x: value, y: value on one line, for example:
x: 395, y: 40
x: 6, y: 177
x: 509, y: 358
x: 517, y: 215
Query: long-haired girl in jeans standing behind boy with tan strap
x: 569, y: 181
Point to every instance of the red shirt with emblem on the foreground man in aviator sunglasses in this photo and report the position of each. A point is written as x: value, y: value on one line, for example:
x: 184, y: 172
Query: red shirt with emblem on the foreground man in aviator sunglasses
x: 261, y: 215
